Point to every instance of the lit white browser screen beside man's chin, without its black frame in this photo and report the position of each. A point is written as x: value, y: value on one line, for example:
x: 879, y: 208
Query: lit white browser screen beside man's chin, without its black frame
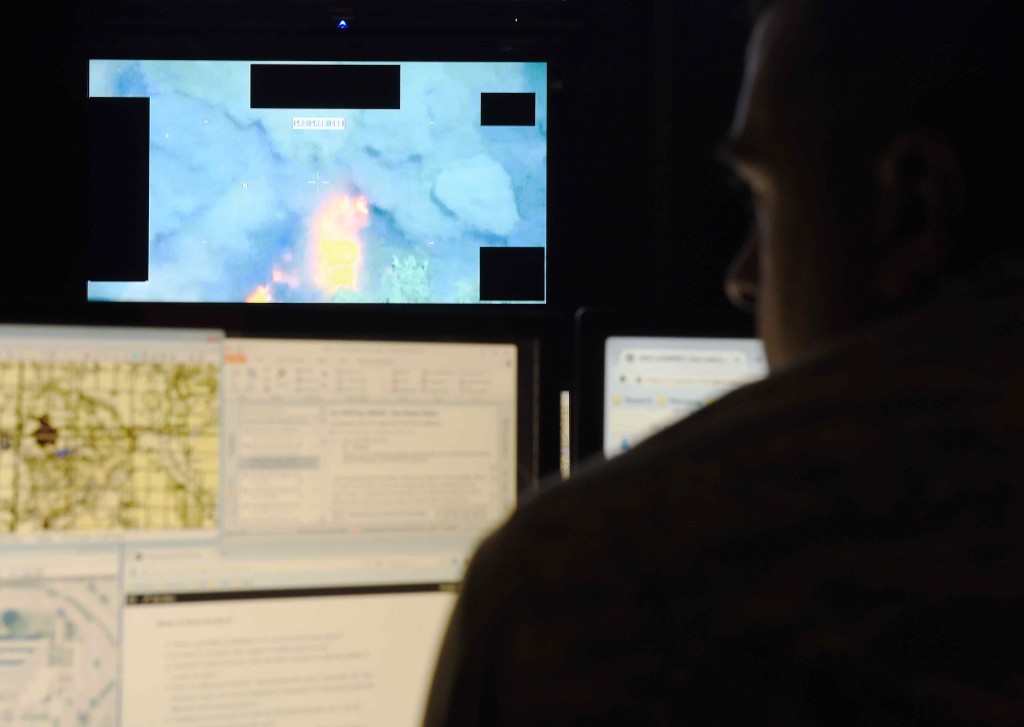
x: 652, y: 382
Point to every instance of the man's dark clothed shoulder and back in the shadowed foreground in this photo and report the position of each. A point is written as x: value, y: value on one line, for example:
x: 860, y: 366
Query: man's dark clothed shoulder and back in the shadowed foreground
x: 777, y: 533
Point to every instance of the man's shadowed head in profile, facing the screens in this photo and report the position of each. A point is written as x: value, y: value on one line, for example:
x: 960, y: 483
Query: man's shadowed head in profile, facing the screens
x: 870, y: 135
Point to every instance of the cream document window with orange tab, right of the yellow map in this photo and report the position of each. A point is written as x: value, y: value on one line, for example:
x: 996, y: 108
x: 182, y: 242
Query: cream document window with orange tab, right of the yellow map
x: 369, y: 437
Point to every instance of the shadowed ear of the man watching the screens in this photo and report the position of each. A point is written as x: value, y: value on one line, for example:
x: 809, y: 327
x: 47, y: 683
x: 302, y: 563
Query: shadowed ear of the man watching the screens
x: 921, y: 189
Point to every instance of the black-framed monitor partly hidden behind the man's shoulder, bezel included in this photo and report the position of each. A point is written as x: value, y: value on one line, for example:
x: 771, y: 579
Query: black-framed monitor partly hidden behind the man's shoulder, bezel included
x: 639, y: 372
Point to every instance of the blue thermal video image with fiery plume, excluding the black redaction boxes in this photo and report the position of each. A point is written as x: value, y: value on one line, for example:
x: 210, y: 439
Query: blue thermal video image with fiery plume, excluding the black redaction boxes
x: 331, y: 205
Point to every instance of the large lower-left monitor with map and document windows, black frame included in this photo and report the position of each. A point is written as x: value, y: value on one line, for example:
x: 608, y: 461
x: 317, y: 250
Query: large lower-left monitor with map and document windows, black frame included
x: 204, y: 526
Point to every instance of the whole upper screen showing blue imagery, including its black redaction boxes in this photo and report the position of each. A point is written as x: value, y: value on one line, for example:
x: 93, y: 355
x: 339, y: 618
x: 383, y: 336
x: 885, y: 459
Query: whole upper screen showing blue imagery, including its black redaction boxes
x: 288, y: 182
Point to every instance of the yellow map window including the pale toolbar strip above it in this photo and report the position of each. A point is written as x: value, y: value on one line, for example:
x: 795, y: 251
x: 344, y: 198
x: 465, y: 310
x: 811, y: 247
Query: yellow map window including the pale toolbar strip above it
x: 109, y: 434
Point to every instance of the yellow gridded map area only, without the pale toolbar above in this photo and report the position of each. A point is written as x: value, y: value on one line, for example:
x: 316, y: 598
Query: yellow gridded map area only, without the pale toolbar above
x: 108, y: 446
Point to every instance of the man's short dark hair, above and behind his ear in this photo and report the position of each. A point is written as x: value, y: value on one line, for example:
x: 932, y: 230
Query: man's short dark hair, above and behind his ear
x: 953, y: 68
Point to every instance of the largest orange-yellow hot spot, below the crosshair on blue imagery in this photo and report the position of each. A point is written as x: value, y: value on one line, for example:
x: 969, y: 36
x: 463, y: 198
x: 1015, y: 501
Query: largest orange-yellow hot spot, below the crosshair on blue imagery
x: 336, y: 250
